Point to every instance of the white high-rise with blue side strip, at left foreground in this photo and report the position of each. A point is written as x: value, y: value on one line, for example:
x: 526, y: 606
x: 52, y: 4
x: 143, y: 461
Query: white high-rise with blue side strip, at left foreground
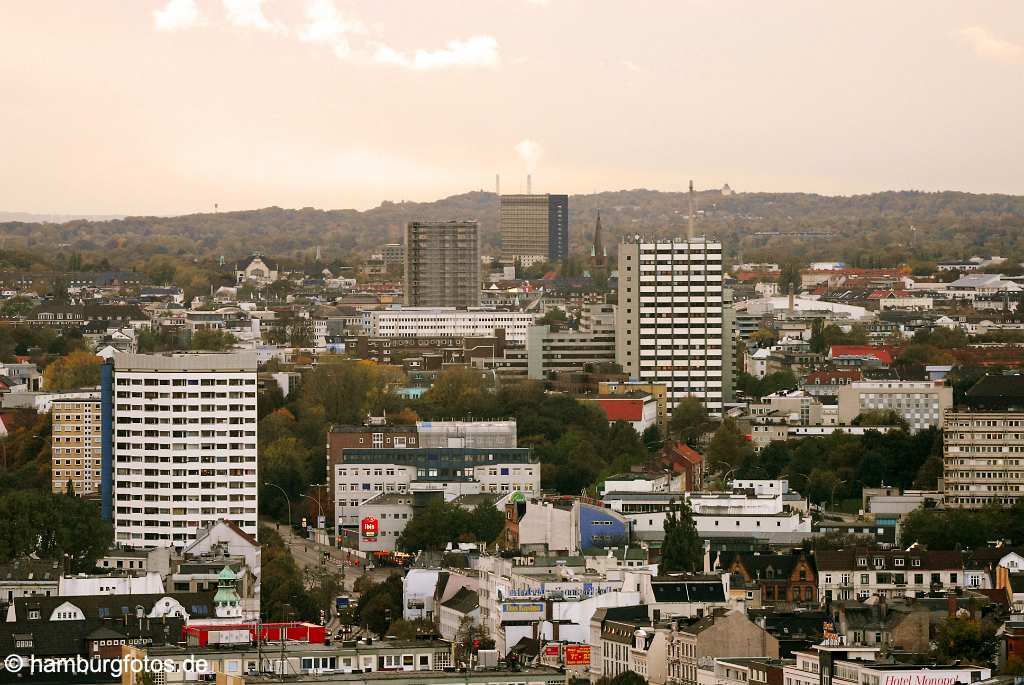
x: 179, y: 446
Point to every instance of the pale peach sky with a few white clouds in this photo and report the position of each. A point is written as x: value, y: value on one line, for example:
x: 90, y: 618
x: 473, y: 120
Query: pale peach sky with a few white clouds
x: 172, y: 106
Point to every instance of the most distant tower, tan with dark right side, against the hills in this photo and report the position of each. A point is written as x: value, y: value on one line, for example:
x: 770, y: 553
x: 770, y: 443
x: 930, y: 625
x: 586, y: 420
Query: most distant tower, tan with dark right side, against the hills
x: 535, y: 228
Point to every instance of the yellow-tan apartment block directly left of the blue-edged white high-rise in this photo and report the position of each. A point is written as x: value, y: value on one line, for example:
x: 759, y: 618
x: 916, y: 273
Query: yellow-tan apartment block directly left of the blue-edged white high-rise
x: 75, y: 444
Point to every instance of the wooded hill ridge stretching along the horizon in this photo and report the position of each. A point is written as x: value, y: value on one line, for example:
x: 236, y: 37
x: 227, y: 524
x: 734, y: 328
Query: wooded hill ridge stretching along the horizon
x: 878, y: 230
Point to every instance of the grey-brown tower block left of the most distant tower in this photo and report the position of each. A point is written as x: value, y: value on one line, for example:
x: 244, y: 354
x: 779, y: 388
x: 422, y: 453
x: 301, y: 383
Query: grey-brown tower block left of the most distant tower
x: 443, y: 265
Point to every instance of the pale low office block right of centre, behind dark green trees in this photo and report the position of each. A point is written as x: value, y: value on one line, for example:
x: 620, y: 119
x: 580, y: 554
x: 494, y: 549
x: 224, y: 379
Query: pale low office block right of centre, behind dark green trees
x: 920, y: 403
